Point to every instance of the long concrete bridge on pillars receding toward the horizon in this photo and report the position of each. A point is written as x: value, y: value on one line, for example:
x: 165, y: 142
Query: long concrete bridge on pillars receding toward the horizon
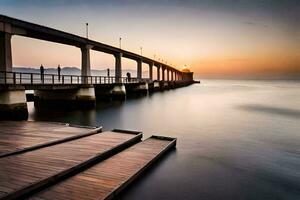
x: 82, y: 88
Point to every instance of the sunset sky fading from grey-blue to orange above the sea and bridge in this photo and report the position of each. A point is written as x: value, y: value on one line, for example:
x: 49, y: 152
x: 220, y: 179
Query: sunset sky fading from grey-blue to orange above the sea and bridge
x: 213, y: 38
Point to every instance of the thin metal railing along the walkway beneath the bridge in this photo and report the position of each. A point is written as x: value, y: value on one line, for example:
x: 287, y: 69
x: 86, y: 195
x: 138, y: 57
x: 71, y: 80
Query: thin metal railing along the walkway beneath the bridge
x: 21, y: 78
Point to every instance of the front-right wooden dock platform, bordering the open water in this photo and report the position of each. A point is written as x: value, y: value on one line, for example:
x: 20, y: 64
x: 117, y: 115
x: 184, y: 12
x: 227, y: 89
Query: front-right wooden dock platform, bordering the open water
x: 107, y: 178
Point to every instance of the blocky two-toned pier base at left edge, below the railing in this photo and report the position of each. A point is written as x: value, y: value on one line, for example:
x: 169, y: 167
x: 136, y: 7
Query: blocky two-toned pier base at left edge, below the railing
x: 13, y: 104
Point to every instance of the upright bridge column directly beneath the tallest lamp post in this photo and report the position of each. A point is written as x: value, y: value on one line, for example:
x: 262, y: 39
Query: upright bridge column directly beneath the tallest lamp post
x: 85, y: 62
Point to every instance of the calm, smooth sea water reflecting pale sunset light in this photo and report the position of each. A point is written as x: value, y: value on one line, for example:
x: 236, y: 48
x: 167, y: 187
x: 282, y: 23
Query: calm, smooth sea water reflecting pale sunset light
x: 236, y: 139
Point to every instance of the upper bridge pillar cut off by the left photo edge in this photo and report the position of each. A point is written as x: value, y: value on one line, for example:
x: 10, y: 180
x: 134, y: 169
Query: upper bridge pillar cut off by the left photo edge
x: 5, y: 52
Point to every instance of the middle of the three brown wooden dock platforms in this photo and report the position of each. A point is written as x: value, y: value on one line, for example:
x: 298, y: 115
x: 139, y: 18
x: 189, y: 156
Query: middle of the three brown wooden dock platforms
x: 23, y: 173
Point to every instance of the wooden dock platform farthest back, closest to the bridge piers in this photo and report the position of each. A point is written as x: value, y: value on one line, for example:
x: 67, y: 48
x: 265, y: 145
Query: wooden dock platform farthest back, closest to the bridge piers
x: 17, y: 137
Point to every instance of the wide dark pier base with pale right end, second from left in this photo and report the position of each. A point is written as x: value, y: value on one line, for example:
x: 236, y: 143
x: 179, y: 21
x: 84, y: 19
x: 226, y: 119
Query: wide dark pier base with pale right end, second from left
x: 82, y: 98
